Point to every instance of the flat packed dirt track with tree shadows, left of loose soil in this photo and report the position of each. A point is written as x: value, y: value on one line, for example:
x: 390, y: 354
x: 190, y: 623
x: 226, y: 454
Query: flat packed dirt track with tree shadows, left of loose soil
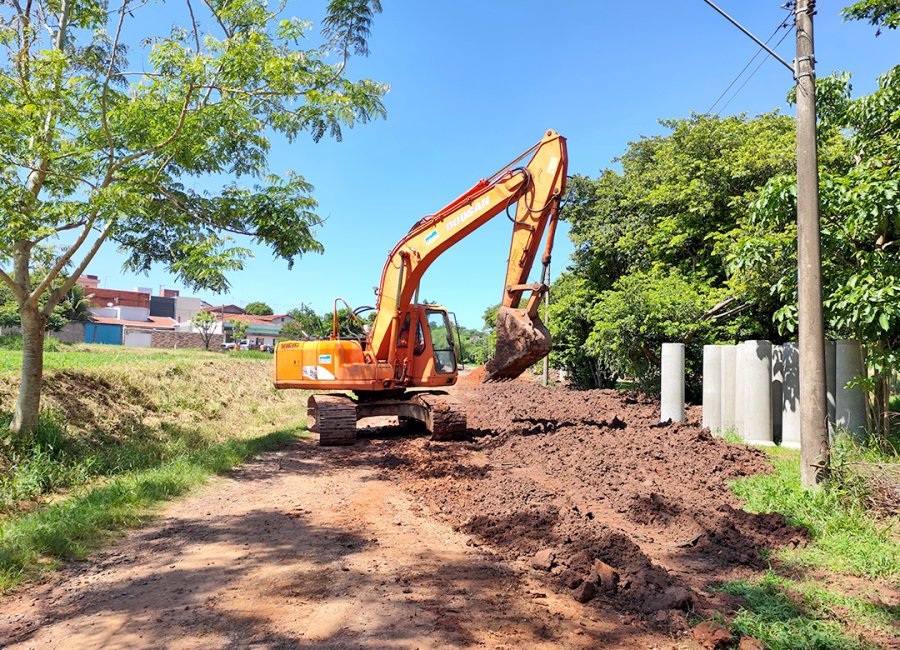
x: 307, y: 547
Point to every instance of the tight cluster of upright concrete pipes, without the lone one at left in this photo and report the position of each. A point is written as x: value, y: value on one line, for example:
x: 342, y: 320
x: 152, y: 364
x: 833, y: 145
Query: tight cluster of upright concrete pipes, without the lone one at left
x: 753, y: 389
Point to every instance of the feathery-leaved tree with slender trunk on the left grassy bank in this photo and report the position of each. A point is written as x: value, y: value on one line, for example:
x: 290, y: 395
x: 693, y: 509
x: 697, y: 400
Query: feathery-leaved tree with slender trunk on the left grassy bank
x: 94, y: 147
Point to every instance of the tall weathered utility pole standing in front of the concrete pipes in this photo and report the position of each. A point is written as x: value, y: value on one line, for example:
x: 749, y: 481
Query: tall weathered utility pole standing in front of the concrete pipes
x: 814, y: 448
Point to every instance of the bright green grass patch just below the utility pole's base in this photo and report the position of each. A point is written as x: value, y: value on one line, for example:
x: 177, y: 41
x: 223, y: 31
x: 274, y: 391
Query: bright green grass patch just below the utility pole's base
x: 845, y: 537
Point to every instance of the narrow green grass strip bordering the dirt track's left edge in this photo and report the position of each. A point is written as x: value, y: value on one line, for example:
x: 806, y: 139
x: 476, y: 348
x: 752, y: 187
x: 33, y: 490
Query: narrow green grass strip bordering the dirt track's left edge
x: 34, y: 542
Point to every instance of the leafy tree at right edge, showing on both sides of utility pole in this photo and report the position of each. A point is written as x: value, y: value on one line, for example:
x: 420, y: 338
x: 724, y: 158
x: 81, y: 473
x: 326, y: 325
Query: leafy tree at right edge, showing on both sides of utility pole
x: 860, y: 234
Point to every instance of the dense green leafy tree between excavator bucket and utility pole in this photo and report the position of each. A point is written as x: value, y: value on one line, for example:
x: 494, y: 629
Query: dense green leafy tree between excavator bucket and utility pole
x: 663, y: 223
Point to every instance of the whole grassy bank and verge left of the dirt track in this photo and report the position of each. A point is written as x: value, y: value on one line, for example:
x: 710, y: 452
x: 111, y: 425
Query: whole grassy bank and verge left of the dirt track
x: 122, y: 430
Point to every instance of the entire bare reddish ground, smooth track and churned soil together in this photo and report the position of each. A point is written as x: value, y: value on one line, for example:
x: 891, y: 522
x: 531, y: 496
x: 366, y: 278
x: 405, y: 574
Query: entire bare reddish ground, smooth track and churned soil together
x: 565, y: 519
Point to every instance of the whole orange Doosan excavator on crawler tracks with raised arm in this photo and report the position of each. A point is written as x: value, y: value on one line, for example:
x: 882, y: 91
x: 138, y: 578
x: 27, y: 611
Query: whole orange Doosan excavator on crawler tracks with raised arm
x: 411, y: 345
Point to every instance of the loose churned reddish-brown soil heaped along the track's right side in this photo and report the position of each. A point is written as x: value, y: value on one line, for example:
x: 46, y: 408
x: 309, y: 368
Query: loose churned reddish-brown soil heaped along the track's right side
x: 592, y: 480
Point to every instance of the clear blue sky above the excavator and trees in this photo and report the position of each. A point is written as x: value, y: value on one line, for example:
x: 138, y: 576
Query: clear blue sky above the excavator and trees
x: 473, y: 84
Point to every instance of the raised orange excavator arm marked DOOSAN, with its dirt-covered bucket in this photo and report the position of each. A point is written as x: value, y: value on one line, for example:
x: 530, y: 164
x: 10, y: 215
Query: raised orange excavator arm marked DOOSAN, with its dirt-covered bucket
x: 533, y: 185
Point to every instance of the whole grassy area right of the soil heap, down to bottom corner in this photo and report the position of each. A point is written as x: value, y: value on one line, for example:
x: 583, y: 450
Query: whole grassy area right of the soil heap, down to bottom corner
x: 831, y: 592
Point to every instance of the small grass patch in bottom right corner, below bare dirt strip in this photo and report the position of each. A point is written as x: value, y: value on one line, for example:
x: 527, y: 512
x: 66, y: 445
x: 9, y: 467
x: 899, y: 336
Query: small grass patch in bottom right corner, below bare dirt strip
x: 789, y: 615
